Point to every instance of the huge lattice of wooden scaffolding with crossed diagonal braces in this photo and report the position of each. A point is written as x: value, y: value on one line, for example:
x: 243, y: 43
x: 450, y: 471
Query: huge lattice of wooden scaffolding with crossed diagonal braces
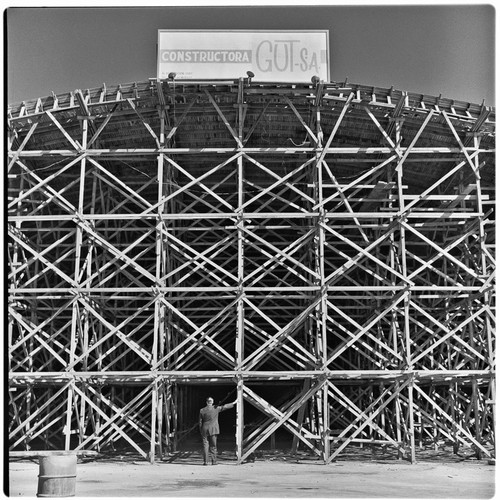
x: 323, y: 252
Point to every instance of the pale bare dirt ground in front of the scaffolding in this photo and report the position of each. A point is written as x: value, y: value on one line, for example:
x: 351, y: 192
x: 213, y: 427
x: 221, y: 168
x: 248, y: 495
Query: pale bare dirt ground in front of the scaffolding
x: 183, y: 475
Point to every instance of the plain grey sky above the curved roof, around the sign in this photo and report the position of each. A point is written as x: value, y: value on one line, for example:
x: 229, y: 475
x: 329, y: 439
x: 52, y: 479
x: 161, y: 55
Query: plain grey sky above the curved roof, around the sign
x: 433, y: 49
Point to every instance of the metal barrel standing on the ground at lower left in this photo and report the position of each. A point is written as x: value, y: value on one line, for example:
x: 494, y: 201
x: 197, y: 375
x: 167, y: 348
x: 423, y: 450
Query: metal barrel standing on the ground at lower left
x: 57, y: 477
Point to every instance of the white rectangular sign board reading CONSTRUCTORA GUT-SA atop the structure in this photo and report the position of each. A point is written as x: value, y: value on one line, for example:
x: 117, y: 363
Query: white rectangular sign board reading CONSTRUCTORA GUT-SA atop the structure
x: 272, y: 56
